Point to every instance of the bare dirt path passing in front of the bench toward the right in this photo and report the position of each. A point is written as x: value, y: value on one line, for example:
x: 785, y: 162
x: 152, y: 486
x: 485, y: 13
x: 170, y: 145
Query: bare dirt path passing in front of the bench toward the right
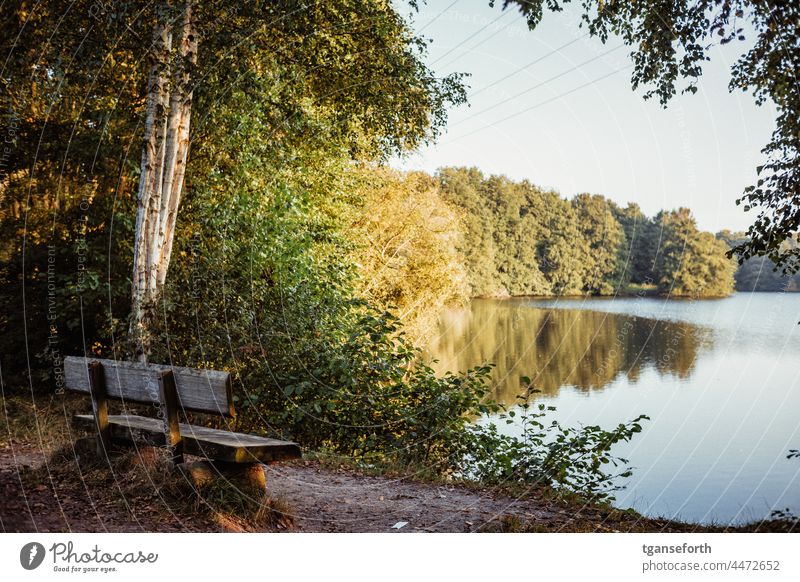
x: 318, y: 500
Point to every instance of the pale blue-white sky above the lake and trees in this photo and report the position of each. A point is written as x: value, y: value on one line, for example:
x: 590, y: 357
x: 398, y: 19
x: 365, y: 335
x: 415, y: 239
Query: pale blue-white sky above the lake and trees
x: 556, y: 107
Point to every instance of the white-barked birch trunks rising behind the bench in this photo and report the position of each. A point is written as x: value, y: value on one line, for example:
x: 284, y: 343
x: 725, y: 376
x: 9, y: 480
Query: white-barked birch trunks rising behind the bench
x: 163, y: 164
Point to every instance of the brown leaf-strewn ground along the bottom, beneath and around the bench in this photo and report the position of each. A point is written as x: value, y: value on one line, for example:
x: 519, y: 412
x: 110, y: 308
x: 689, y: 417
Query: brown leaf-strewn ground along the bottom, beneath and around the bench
x: 49, y: 485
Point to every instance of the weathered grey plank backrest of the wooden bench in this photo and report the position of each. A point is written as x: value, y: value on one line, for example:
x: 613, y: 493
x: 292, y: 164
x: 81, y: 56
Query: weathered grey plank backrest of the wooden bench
x: 207, y: 391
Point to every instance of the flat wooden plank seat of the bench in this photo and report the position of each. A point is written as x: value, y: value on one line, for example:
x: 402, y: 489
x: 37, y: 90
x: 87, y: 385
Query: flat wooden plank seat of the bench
x: 197, y: 440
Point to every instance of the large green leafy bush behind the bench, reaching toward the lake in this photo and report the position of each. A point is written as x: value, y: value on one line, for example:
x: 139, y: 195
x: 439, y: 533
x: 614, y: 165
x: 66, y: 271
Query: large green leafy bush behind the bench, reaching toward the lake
x: 262, y: 284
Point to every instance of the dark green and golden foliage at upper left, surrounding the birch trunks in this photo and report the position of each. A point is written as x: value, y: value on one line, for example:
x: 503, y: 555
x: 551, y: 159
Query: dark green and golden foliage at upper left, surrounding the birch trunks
x: 333, y: 83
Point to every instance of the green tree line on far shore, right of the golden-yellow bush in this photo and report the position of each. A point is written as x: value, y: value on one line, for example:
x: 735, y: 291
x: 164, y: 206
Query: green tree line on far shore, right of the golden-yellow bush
x: 519, y: 239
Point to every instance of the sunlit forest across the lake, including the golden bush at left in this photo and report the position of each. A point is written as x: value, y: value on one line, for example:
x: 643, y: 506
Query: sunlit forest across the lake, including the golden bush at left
x: 440, y: 240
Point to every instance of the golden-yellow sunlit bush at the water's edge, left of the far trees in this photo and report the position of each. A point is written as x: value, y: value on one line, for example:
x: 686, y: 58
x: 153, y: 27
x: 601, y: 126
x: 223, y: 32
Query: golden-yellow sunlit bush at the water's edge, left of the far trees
x: 407, y: 250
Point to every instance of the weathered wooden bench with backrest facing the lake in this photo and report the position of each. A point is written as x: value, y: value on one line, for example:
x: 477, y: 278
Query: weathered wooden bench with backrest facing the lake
x: 172, y: 390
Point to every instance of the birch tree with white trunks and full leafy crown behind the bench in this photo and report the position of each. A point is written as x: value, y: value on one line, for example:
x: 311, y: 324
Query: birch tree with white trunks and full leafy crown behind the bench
x: 107, y: 94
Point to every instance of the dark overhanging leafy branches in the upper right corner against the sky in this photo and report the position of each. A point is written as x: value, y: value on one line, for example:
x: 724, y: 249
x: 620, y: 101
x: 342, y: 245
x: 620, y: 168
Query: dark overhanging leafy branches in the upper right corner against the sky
x: 671, y: 41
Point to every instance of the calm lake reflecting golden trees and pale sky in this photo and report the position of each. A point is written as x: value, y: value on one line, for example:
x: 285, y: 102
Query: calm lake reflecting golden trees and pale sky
x: 719, y: 378
